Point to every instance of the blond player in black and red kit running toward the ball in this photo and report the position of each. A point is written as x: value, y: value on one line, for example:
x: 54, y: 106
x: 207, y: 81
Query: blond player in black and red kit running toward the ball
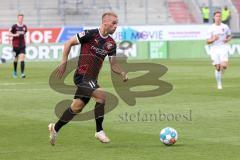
x: 96, y: 44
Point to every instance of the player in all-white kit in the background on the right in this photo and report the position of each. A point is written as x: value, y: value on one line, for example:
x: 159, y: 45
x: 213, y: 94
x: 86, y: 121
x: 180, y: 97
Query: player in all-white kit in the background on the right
x: 218, y: 36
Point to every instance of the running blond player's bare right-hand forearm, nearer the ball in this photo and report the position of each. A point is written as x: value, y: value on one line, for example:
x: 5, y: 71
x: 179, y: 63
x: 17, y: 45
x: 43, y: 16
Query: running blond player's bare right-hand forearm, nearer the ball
x: 115, y: 67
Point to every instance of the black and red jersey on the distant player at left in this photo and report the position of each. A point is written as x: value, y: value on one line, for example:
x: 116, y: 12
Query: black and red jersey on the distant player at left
x: 19, y: 42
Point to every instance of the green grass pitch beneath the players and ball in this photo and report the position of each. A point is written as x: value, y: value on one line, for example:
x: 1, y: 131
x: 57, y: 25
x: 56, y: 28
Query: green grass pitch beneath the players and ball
x: 208, y: 126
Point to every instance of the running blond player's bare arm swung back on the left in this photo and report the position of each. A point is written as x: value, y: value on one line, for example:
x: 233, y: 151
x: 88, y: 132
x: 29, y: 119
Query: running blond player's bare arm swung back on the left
x: 66, y: 50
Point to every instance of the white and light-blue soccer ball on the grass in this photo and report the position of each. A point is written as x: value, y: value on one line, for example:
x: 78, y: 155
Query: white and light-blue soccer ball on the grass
x: 168, y: 136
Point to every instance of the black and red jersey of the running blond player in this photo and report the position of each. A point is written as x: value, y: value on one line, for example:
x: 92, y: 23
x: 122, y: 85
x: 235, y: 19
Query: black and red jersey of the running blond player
x: 94, y: 49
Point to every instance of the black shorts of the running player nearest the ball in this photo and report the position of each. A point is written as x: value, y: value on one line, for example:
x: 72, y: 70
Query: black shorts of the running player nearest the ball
x: 85, y: 87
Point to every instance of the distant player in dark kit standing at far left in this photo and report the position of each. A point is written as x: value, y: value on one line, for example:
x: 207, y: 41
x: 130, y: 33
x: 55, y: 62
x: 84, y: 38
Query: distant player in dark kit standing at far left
x: 17, y: 33
